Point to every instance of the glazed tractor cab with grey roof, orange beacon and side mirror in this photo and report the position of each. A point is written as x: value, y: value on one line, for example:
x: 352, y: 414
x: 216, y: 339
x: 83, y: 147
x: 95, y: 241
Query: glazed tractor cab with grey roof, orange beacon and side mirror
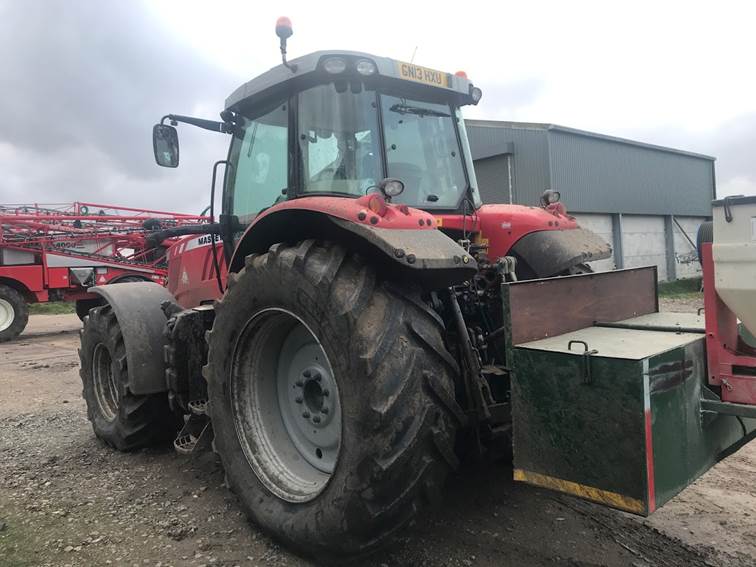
x: 337, y: 123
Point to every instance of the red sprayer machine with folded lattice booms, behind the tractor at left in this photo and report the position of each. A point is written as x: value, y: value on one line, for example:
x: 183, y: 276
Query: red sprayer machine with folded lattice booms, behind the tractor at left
x: 55, y: 252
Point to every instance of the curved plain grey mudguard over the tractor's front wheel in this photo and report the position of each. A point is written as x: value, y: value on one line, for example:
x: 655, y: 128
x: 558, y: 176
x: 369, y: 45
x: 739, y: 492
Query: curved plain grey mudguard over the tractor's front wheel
x: 137, y: 309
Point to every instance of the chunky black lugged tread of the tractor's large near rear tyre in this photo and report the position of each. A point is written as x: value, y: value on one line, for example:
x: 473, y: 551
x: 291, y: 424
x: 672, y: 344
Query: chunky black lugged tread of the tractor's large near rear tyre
x: 397, y: 339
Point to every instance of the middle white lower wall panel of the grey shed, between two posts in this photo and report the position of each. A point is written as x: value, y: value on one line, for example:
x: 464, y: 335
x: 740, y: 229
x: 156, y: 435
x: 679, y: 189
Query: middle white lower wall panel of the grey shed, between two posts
x: 644, y: 243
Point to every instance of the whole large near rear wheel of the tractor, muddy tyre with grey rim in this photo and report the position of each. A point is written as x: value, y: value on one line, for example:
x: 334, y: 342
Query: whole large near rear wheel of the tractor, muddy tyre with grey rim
x: 331, y: 396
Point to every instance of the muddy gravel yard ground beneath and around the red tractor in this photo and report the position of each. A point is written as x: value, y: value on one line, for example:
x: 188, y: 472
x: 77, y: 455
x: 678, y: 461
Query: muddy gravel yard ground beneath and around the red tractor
x: 65, y: 499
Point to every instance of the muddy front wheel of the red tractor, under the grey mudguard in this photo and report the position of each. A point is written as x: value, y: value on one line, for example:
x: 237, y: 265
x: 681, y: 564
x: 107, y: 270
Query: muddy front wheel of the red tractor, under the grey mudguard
x: 121, y: 419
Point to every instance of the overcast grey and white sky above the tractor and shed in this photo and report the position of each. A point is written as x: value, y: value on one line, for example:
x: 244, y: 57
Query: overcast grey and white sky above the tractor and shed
x: 82, y: 82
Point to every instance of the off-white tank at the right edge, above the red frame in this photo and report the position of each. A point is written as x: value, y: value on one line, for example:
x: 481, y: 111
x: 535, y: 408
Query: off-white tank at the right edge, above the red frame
x: 734, y: 253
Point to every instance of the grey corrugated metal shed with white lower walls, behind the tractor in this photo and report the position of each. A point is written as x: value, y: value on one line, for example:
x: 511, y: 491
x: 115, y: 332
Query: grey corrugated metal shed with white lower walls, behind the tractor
x: 647, y: 200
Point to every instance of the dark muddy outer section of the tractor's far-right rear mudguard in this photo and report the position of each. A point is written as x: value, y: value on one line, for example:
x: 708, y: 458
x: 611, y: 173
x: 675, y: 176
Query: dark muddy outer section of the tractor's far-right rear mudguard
x: 553, y: 252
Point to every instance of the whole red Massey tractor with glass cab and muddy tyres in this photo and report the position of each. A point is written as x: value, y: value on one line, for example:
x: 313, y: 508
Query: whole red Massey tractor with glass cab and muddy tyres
x: 337, y: 334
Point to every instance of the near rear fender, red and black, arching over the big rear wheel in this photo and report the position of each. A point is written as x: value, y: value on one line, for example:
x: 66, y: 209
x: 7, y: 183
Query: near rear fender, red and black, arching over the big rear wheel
x: 401, y: 245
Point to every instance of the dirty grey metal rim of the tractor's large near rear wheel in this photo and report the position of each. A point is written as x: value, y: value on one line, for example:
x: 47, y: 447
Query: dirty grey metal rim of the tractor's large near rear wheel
x: 286, y: 405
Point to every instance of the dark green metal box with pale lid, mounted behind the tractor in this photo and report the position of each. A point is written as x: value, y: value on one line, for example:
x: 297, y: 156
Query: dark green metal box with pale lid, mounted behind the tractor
x: 612, y: 412
